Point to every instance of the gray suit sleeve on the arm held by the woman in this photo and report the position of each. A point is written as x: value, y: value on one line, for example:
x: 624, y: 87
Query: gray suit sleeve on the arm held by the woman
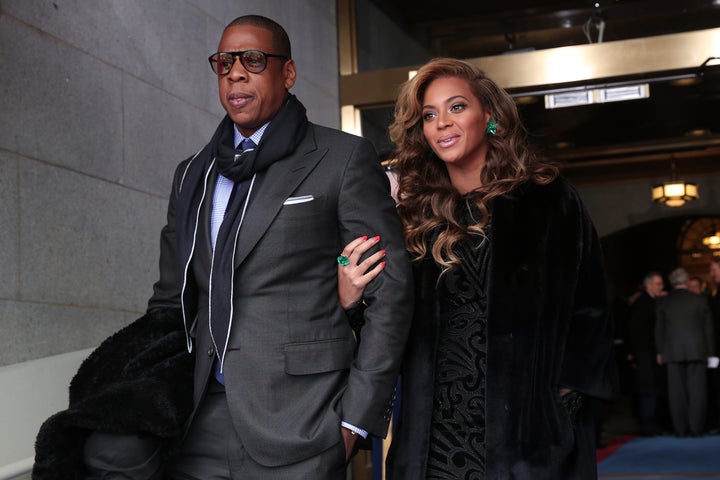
x: 365, y: 207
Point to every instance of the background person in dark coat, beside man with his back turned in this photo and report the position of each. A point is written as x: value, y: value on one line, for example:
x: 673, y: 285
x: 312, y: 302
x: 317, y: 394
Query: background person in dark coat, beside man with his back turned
x: 648, y: 382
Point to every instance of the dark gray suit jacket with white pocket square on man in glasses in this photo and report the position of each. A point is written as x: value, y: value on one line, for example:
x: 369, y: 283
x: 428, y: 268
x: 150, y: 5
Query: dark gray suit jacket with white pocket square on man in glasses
x: 293, y: 370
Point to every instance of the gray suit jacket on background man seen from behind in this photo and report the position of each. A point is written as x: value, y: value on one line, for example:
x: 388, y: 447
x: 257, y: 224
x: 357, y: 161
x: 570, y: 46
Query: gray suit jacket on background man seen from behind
x: 683, y: 327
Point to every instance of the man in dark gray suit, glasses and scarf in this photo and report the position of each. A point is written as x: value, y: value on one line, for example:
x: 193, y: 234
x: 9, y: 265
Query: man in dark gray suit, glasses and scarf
x: 281, y: 389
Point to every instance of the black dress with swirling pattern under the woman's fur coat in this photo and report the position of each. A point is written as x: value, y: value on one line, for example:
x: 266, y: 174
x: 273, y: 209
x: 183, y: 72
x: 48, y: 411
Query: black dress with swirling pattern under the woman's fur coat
x: 457, y: 441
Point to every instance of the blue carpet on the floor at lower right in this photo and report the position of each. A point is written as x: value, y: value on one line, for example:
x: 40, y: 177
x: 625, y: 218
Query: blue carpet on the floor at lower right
x: 664, y: 458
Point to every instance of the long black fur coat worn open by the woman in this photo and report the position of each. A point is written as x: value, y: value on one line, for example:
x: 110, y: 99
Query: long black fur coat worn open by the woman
x: 548, y: 327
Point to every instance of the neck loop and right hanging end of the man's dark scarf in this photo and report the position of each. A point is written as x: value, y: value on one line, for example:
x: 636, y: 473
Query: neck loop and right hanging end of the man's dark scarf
x: 281, y: 138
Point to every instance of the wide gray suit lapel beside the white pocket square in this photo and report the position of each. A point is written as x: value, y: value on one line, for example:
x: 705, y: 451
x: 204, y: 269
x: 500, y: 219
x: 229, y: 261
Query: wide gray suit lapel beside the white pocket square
x: 278, y: 182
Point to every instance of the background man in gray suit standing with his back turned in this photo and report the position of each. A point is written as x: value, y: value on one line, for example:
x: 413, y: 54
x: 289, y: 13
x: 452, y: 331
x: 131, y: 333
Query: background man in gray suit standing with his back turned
x: 684, y: 338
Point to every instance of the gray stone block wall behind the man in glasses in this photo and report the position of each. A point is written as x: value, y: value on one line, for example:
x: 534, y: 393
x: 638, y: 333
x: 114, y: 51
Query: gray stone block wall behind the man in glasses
x: 100, y: 100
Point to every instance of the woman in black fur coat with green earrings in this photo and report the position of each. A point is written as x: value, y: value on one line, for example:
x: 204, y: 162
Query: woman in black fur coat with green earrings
x: 511, y: 337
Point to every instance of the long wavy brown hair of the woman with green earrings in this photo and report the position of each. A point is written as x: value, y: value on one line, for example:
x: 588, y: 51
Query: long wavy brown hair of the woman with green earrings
x: 427, y: 201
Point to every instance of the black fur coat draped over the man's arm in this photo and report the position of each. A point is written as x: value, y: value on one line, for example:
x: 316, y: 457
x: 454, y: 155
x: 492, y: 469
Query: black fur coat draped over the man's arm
x: 137, y: 381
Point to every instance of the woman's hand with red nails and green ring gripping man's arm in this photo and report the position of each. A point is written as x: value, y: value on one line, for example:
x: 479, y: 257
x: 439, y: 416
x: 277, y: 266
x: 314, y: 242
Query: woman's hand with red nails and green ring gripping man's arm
x: 354, y: 277
